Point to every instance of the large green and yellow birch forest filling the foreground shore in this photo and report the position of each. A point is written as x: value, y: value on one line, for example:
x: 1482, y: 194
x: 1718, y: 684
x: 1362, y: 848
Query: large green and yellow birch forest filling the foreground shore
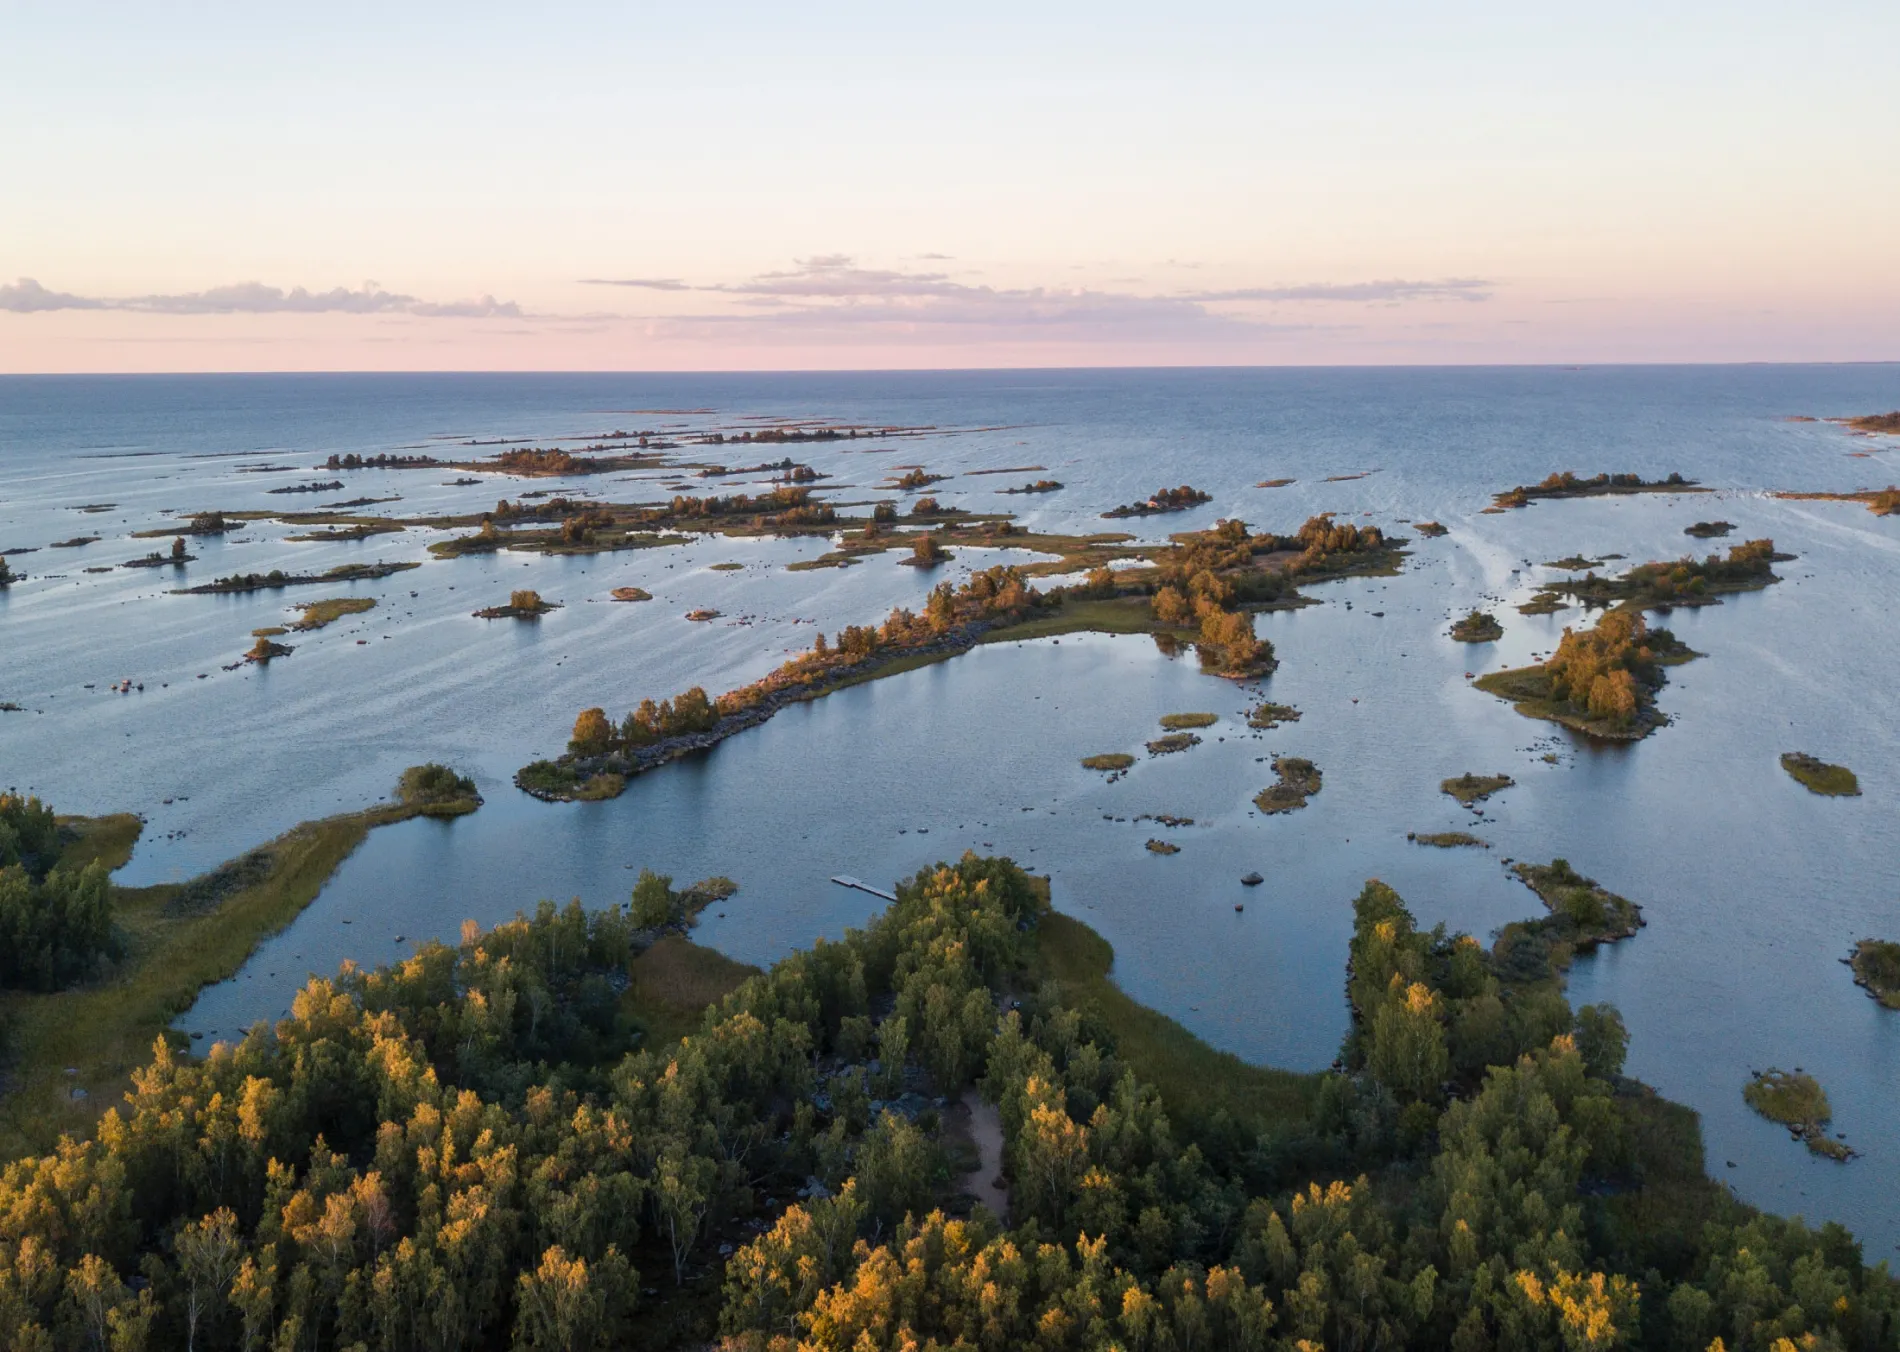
x: 480, y: 1148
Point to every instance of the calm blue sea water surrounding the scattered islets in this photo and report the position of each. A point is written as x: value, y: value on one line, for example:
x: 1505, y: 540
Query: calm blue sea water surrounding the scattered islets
x: 1755, y: 890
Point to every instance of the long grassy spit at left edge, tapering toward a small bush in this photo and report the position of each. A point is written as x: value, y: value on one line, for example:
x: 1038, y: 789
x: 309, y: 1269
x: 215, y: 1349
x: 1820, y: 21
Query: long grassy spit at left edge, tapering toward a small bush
x: 105, y: 1032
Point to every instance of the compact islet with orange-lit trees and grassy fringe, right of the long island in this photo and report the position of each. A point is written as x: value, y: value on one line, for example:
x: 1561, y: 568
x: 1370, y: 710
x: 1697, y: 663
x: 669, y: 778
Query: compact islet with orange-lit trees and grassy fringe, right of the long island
x: 1601, y: 683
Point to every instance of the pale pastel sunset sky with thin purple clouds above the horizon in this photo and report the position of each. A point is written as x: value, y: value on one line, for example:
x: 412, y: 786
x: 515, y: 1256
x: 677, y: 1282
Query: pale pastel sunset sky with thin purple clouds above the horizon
x: 736, y: 187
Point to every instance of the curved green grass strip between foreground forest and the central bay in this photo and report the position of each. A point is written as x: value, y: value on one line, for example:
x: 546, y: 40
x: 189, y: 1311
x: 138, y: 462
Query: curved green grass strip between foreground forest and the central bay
x: 1194, y: 1080
